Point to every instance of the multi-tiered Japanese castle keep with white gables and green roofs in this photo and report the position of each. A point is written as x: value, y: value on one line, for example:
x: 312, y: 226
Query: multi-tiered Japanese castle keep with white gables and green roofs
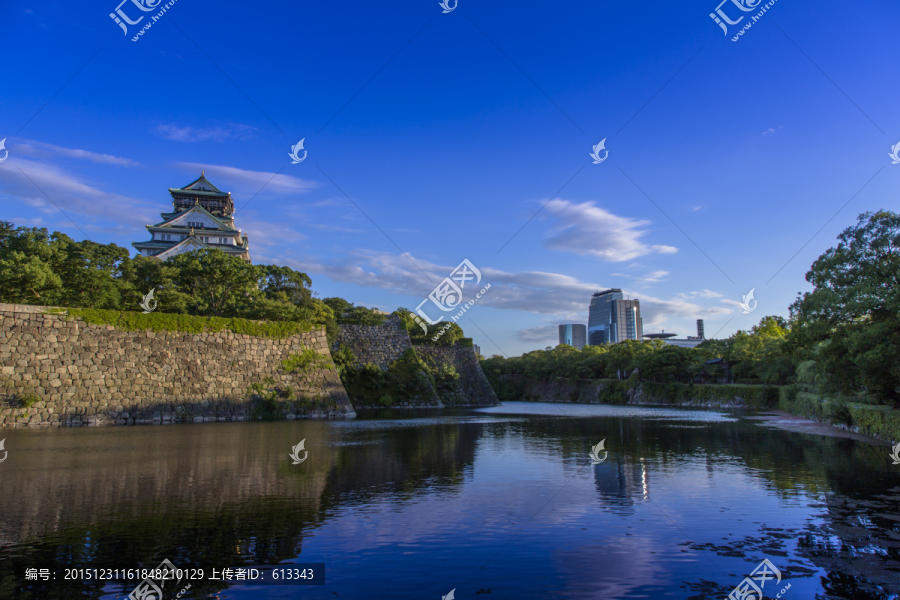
x: 202, y: 217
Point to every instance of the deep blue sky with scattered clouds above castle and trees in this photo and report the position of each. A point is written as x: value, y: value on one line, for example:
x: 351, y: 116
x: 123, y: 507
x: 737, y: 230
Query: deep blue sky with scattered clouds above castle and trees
x: 728, y: 161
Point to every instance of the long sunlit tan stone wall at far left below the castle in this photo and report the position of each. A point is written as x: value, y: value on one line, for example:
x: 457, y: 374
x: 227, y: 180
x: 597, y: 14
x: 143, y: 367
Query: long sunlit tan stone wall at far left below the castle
x: 95, y: 374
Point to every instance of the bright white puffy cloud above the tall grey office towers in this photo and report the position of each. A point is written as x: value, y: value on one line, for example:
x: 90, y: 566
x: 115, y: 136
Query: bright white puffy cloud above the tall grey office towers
x: 590, y: 230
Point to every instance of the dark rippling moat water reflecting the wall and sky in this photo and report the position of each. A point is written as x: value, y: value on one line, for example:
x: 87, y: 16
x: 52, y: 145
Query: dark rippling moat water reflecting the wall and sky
x: 686, y: 505
